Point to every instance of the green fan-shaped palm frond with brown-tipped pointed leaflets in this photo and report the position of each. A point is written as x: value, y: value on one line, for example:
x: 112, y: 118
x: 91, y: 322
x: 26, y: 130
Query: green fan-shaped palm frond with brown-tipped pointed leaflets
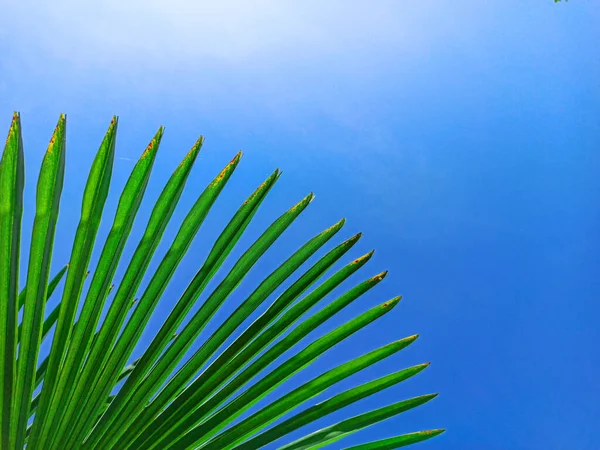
x: 85, y: 395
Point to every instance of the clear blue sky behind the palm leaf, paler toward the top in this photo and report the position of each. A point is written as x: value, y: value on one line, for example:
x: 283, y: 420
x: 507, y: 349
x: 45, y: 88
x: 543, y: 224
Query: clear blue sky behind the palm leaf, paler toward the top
x: 462, y: 138
